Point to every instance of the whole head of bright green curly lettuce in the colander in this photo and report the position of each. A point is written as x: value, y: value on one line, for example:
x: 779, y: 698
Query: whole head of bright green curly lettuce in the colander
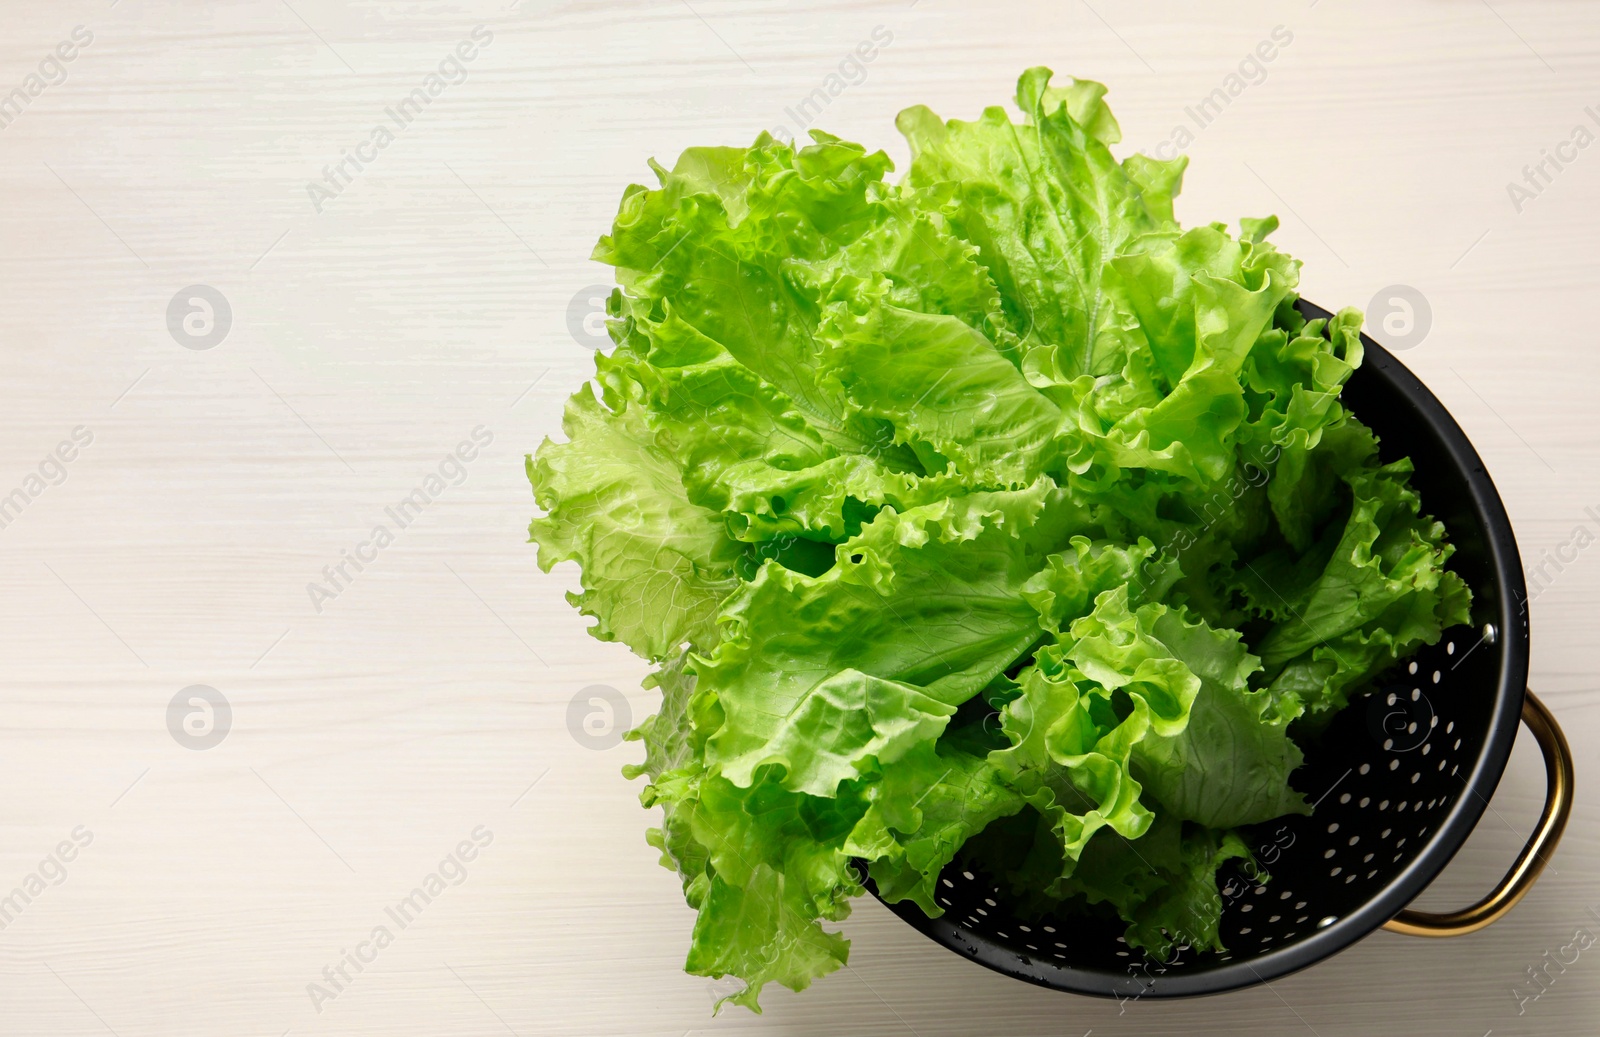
x: 982, y: 516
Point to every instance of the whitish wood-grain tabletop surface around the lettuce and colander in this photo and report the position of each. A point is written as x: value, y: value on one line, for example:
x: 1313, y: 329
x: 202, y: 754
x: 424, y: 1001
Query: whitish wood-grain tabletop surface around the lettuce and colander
x: 431, y: 298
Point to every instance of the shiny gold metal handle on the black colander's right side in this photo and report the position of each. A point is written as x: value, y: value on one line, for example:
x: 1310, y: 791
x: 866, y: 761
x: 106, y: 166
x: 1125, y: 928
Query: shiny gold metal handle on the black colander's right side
x: 1534, y: 857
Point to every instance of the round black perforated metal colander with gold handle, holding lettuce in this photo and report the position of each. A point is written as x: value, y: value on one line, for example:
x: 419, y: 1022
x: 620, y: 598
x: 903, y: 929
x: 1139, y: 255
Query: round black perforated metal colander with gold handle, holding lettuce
x: 1399, y: 779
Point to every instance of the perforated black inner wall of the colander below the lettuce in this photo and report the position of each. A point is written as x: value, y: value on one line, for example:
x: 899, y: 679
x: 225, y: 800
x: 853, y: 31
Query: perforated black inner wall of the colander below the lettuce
x: 1383, y: 779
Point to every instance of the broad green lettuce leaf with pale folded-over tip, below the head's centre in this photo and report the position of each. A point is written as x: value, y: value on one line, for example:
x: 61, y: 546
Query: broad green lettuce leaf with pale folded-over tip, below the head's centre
x: 918, y: 615
